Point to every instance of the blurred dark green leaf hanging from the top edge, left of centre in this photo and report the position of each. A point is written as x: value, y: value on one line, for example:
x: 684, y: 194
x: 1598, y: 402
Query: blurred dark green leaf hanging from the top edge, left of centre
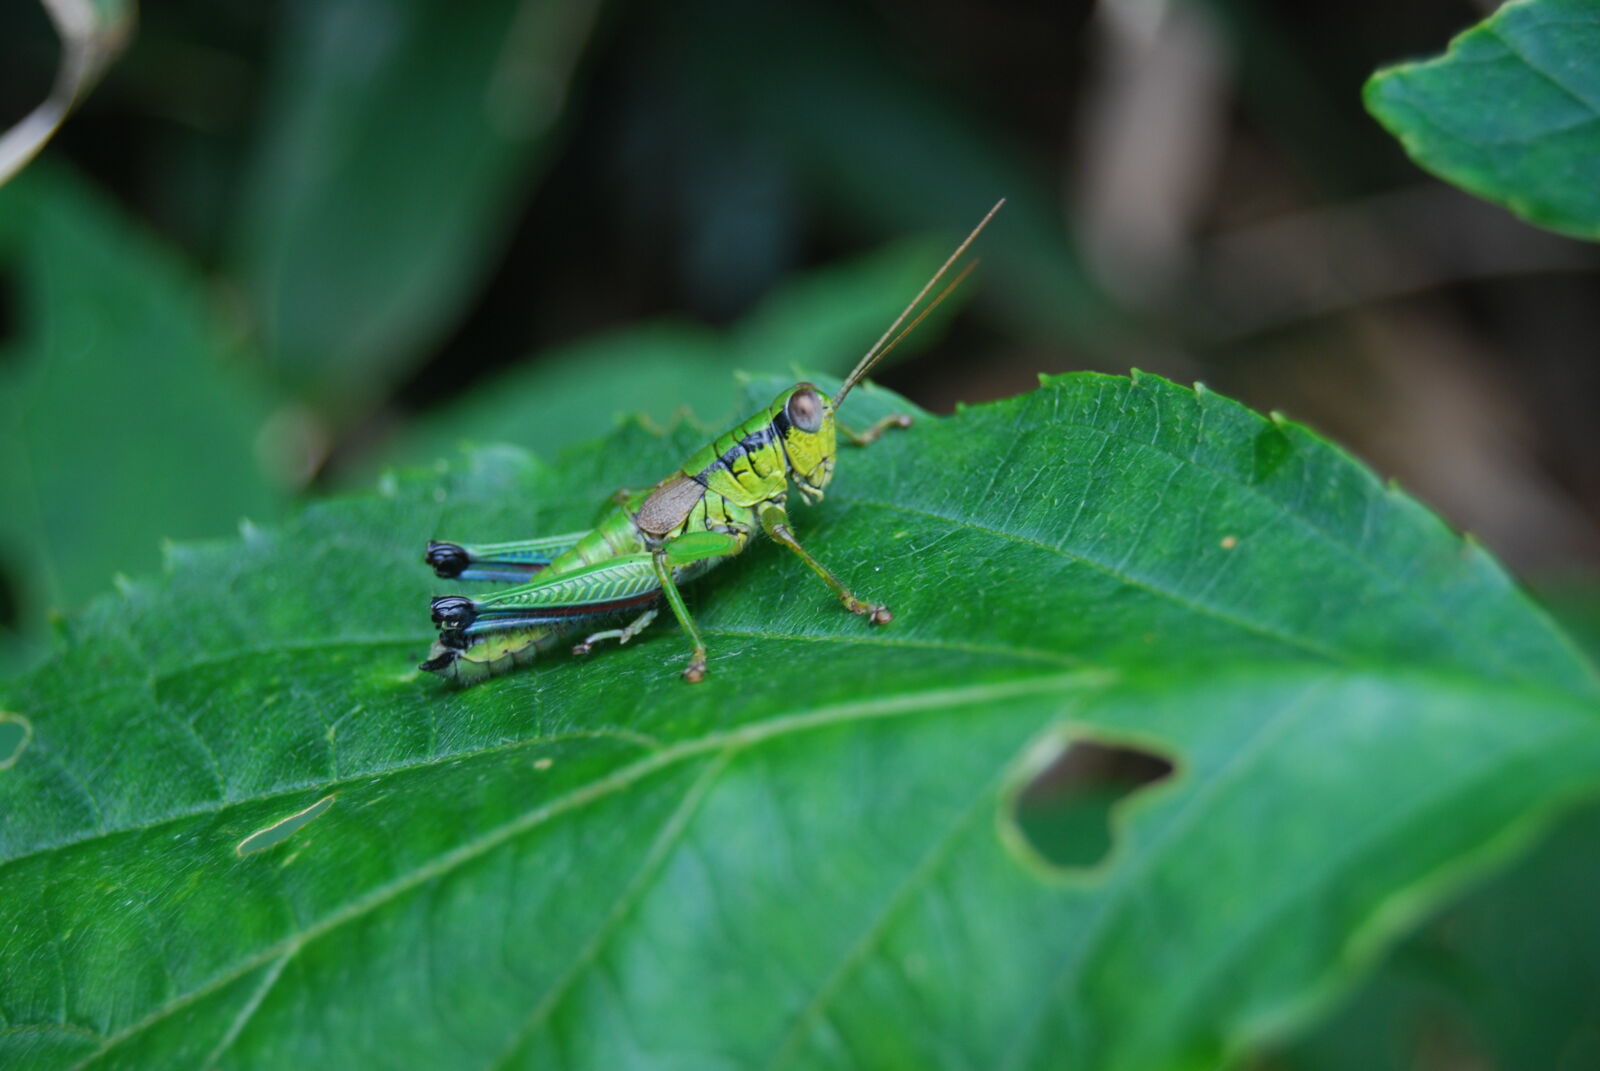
x: 401, y: 140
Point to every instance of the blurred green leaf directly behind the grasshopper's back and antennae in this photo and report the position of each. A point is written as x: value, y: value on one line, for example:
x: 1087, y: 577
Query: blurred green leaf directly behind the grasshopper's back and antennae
x: 820, y: 321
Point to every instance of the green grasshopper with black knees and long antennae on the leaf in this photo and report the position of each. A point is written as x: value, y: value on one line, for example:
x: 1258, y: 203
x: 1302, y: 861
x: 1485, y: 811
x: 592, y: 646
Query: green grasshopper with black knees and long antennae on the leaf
x: 655, y: 540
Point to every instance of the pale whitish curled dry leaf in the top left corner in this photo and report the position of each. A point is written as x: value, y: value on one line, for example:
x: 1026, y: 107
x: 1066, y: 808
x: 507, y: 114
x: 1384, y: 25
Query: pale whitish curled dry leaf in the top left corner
x: 92, y: 34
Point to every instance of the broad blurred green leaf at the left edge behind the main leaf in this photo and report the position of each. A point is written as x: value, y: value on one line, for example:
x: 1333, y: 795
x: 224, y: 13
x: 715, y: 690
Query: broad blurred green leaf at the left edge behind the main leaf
x: 127, y: 419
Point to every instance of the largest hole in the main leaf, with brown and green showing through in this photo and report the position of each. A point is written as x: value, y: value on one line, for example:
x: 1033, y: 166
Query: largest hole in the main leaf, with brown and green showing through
x: 1065, y: 812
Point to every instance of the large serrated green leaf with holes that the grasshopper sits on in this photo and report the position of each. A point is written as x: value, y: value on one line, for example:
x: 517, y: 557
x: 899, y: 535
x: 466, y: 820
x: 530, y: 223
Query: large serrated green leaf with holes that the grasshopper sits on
x: 809, y: 859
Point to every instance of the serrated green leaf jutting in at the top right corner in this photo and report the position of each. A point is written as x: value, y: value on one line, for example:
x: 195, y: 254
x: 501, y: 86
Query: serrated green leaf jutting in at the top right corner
x: 1511, y: 113
